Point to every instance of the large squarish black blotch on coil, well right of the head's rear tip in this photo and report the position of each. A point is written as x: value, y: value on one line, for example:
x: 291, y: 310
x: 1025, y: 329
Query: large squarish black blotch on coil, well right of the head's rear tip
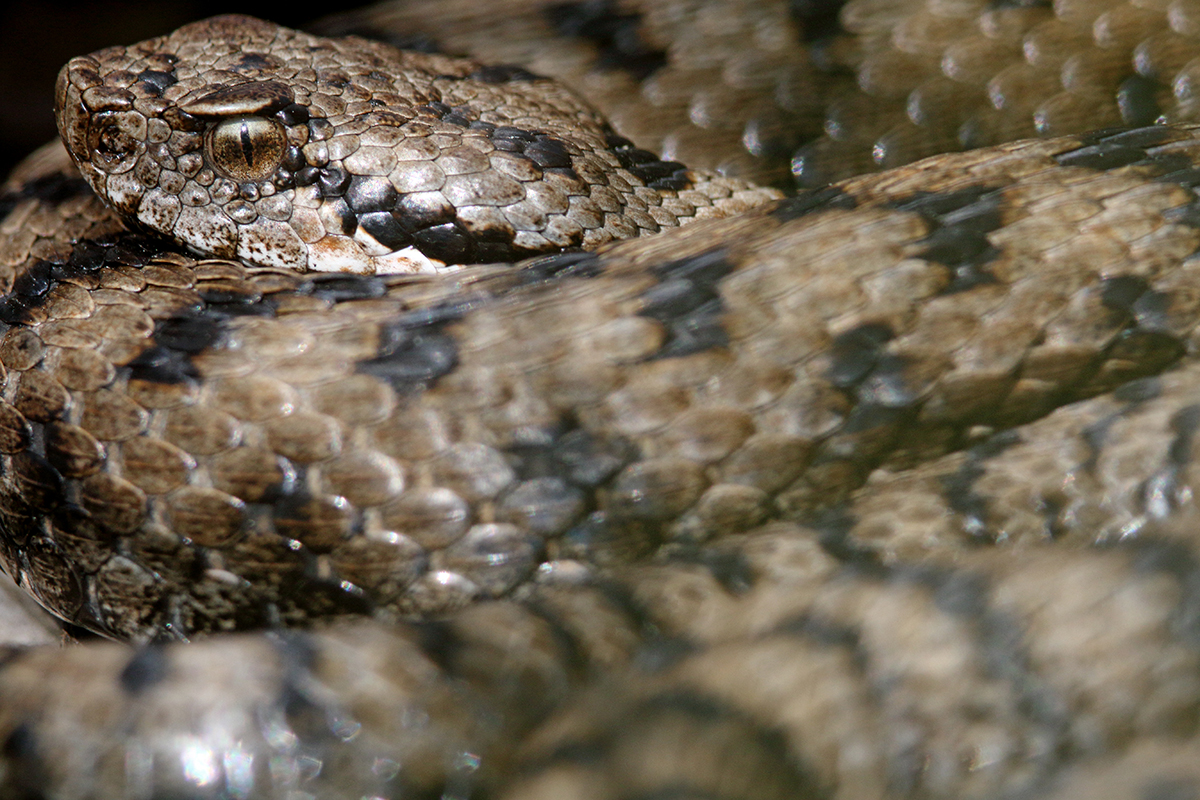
x: 962, y: 221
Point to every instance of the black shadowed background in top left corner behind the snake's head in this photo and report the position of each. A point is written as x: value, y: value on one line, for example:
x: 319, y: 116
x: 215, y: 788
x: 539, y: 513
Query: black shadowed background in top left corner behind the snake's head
x: 37, y: 39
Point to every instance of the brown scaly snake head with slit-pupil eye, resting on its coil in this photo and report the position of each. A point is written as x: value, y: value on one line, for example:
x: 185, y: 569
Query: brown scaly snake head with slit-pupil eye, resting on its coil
x: 244, y: 140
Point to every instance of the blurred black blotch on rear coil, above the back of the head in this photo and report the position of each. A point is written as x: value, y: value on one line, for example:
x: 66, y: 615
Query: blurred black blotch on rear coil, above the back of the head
x: 616, y: 35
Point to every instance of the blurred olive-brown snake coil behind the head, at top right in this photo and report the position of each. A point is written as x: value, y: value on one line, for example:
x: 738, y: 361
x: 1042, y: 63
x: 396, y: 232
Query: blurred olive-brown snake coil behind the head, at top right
x: 892, y: 85
